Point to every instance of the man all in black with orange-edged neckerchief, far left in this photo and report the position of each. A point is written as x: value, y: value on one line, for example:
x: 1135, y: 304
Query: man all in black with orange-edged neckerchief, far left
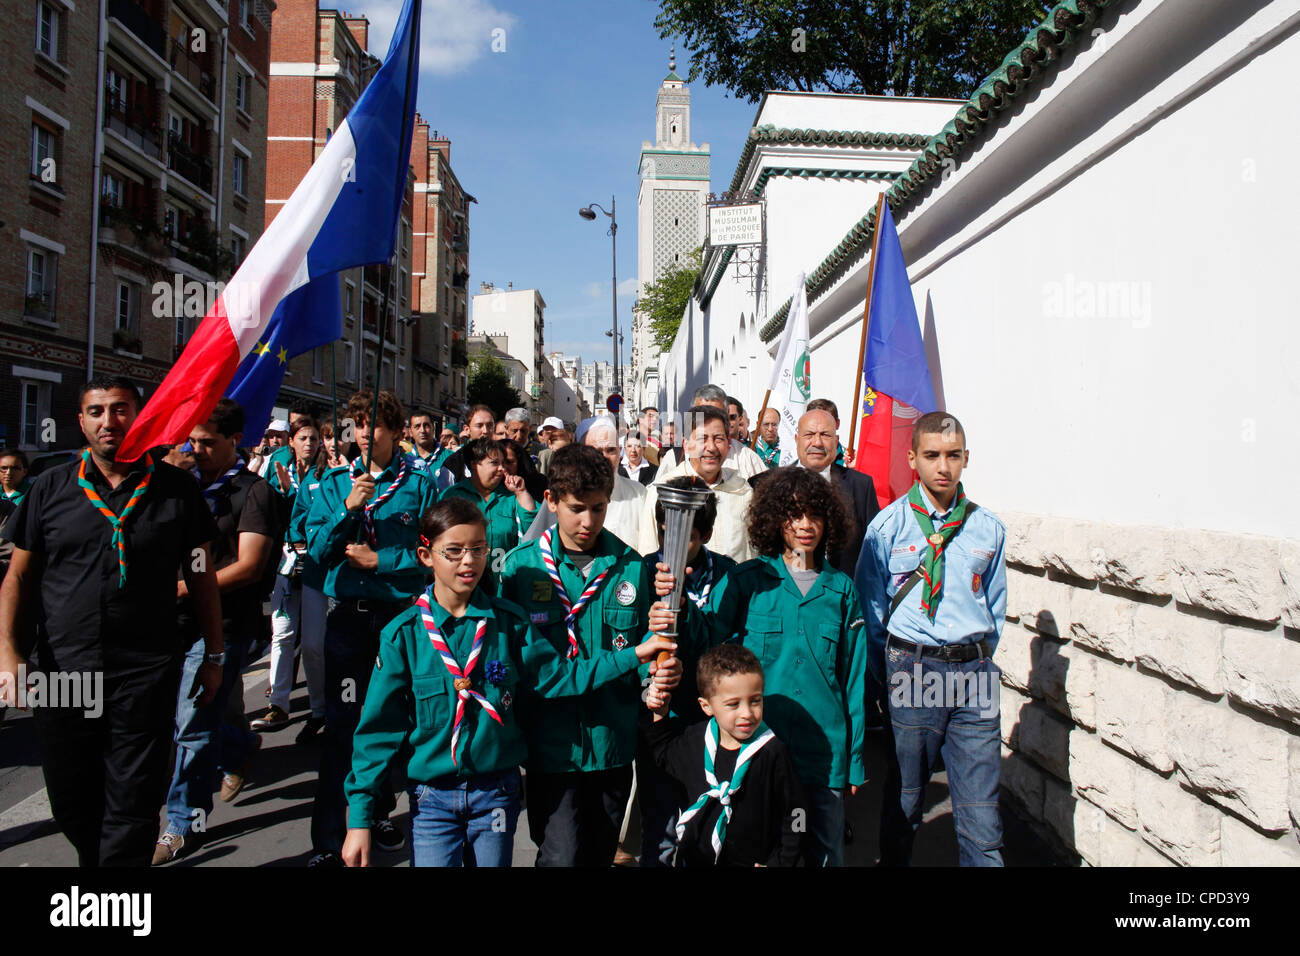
x: 101, y: 543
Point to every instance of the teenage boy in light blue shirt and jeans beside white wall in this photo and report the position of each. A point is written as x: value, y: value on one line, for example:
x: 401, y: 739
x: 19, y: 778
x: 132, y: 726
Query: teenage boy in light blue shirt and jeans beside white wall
x: 946, y: 557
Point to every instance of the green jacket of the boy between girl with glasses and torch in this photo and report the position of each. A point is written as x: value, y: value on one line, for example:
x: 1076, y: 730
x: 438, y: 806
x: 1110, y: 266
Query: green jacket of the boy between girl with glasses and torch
x: 597, y: 732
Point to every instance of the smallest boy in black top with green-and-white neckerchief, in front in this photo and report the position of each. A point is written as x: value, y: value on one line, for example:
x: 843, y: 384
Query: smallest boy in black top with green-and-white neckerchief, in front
x: 742, y: 799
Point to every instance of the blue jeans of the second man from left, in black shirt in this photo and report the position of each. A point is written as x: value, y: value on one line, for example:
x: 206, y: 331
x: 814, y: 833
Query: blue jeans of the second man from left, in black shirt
x: 202, y: 742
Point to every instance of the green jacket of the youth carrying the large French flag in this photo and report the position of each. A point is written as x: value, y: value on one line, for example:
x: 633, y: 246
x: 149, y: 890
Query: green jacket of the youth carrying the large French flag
x: 331, y: 527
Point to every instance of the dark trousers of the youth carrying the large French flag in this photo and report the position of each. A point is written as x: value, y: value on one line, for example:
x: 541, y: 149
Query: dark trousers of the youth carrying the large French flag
x: 352, y: 646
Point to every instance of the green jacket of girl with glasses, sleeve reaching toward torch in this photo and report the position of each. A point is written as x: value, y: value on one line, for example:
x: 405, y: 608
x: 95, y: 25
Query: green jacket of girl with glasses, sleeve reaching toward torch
x: 413, y: 698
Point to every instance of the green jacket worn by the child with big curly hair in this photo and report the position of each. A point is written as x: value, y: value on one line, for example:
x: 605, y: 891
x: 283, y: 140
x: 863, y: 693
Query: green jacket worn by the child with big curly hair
x: 814, y: 654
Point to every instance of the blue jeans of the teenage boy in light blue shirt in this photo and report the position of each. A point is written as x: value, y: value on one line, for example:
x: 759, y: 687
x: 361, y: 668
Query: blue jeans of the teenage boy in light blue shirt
x: 964, y: 728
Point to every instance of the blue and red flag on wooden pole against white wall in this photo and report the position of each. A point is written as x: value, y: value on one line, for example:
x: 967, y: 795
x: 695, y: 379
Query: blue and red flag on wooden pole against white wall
x: 896, y: 387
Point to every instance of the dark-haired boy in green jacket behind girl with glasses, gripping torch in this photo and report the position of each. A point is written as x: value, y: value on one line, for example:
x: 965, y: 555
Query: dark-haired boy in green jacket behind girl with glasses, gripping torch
x: 586, y: 592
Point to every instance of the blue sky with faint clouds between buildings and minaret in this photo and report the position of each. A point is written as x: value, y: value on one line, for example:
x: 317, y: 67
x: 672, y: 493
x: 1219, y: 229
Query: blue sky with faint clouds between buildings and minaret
x: 549, y: 126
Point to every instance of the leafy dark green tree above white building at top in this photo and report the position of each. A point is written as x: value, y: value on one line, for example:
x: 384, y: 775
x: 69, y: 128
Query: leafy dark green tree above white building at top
x: 902, y: 47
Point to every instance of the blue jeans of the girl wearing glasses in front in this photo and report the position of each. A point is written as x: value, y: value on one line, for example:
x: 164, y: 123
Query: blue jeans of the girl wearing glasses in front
x: 479, y: 812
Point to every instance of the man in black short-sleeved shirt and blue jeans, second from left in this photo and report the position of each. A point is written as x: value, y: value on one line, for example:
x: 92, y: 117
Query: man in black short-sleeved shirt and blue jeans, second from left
x: 242, y: 505
